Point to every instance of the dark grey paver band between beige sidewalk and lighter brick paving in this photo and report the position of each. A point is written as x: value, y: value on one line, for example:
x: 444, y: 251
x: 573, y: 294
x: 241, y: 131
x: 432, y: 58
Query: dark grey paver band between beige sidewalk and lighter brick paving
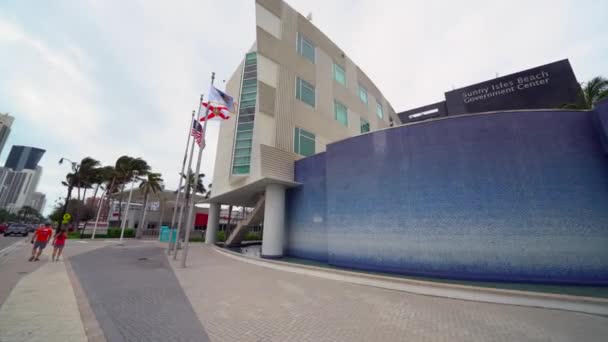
x: 135, y: 295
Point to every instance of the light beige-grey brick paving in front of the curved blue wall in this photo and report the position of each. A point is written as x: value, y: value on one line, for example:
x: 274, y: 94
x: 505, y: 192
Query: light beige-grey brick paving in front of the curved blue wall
x: 237, y: 301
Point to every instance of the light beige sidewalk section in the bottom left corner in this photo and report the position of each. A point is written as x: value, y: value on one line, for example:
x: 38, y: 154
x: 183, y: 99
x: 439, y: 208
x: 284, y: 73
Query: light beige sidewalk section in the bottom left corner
x: 42, y: 307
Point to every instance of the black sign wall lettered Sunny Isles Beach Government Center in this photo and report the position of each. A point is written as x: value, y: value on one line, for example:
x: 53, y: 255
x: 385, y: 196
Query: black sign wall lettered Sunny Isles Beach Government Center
x: 543, y: 87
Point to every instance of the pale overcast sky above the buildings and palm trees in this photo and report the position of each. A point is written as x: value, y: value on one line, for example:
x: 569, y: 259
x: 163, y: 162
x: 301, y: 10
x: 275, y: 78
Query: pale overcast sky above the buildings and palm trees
x: 106, y: 78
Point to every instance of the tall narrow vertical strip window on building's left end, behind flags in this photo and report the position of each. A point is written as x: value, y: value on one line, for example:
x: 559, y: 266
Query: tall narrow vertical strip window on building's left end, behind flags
x: 241, y: 156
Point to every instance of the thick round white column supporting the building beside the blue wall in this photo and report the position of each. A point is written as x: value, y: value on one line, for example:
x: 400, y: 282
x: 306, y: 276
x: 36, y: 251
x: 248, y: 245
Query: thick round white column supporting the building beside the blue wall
x: 274, y: 221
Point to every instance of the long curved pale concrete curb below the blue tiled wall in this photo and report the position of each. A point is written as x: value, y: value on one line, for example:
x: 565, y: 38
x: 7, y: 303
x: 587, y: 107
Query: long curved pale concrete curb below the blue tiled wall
x: 595, y: 306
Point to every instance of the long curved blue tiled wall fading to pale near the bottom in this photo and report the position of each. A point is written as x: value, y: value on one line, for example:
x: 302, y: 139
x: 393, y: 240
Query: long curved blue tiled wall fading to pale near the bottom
x: 510, y: 196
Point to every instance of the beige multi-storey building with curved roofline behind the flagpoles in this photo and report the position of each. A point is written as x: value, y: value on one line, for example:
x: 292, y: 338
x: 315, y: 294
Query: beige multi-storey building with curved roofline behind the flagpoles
x: 297, y: 92
